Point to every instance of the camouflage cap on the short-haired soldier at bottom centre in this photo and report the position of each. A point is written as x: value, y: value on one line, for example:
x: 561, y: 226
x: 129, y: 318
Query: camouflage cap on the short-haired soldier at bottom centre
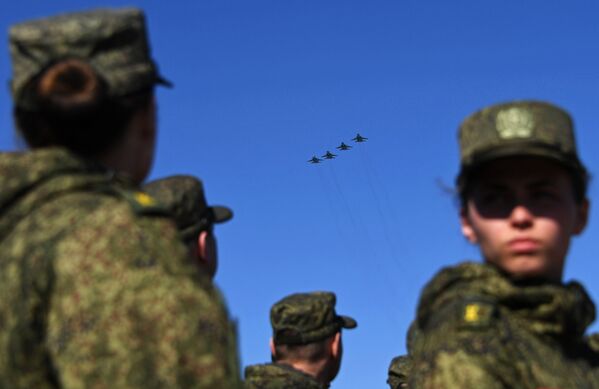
x: 303, y: 318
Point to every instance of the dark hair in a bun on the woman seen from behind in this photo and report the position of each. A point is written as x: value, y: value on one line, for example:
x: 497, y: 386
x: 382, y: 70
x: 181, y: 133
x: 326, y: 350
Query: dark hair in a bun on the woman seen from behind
x: 71, y: 108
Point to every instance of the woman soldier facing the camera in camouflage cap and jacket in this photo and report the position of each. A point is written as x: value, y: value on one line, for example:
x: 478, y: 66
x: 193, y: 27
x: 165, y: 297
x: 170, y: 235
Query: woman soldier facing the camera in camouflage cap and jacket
x: 511, y: 322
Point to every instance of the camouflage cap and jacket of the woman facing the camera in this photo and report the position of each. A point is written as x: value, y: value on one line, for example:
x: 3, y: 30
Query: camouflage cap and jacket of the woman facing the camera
x: 476, y: 327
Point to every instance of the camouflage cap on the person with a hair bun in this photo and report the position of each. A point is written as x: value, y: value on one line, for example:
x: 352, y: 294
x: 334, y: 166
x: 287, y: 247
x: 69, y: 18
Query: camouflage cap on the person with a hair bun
x: 113, y: 41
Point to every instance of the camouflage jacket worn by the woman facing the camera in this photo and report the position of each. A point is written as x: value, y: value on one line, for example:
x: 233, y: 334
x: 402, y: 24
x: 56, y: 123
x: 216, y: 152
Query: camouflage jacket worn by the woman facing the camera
x: 478, y: 329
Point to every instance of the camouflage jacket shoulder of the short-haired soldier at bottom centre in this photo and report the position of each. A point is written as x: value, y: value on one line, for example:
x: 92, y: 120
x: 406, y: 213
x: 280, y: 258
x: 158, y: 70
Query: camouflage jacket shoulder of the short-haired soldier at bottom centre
x: 278, y: 376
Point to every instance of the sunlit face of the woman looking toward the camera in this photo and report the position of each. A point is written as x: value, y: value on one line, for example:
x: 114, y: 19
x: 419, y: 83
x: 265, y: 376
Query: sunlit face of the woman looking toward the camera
x: 522, y: 213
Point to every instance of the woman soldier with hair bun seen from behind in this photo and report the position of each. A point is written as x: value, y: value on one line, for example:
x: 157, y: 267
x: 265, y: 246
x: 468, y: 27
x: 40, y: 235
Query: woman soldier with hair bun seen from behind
x: 97, y: 289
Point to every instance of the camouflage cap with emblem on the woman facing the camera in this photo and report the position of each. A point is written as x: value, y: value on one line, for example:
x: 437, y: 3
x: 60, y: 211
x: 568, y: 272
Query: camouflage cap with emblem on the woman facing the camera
x: 520, y: 128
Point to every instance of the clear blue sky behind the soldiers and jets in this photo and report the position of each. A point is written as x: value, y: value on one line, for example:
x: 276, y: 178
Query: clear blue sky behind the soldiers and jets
x: 261, y: 86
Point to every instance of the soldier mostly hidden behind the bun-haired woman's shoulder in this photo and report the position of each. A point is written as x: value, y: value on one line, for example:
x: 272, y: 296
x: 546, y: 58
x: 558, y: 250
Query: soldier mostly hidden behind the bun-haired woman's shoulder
x: 184, y: 197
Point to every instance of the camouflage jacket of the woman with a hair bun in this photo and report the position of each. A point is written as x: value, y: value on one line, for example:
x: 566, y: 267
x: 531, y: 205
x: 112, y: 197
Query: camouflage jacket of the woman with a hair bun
x: 97, y: 290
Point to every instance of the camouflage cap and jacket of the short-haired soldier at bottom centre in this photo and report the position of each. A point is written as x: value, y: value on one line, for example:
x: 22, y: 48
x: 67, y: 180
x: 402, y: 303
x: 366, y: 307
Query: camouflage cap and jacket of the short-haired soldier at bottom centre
x: 297, y: 319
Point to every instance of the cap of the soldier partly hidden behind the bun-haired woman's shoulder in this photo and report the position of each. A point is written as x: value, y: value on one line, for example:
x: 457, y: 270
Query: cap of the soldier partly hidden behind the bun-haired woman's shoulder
x: 184, y: 197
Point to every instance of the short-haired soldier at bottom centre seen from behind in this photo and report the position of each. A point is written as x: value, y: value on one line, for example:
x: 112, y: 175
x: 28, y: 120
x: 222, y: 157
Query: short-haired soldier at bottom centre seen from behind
x: 306, y: 344
